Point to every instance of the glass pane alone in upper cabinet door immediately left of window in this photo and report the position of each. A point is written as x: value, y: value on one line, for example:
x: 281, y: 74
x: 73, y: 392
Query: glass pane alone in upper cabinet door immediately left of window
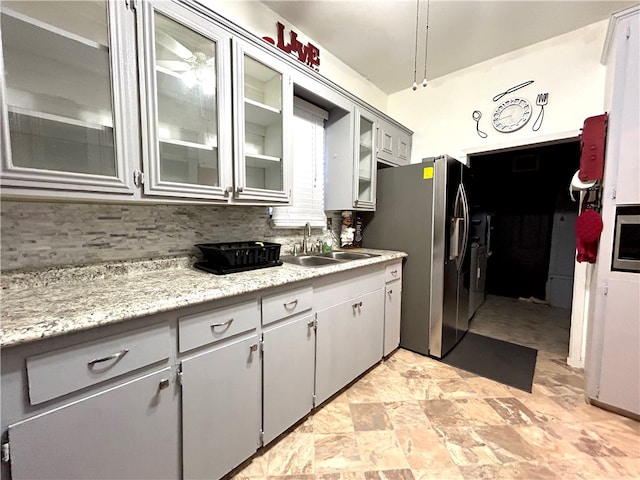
x: 263, y: 126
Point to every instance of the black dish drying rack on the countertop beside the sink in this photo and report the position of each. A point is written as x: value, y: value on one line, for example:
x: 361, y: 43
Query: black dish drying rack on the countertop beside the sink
x: 232, y: 257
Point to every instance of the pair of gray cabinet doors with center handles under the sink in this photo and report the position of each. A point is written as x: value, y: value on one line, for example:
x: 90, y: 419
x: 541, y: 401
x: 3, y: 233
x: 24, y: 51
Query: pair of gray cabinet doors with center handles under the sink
x: 349, y: 341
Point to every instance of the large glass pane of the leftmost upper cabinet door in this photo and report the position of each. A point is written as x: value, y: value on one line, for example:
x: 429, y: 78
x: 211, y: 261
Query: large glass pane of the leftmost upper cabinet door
x: 58, y: 85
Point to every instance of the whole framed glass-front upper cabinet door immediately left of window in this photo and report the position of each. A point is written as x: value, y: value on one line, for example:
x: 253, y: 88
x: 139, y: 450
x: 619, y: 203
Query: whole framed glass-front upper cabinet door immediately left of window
x: 263, y: 108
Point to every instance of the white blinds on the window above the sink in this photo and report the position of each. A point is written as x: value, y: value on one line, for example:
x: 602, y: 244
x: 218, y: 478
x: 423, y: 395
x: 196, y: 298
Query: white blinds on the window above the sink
x: 308, y: 169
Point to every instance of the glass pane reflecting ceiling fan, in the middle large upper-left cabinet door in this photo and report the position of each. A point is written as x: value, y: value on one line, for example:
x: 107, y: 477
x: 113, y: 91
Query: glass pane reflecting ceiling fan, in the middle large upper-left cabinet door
x: 187, y: 104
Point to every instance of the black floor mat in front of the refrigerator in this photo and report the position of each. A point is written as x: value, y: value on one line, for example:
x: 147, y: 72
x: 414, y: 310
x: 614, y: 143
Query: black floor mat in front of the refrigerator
x: 501, y: 361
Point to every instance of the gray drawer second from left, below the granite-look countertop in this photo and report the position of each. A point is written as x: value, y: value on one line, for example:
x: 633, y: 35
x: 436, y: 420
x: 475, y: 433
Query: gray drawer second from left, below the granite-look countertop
x: 214, y: 325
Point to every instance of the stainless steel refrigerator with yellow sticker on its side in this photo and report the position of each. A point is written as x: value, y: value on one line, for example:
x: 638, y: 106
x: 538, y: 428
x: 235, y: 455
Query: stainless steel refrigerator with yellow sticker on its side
x: 423, y: 209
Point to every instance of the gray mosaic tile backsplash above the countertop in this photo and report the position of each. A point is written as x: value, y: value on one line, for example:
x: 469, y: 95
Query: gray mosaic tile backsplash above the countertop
x: 41, y: 235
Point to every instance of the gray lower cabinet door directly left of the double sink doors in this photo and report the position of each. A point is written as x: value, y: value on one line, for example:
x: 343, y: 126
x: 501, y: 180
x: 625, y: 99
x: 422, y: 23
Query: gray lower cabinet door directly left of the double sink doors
x: 288, y: 365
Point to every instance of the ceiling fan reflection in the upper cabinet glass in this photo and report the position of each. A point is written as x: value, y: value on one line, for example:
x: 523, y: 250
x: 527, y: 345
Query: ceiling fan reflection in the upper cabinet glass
x: 193, y: 67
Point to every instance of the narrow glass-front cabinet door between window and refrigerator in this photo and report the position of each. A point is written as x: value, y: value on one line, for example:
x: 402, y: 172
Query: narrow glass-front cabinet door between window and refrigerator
x: 365, y: 160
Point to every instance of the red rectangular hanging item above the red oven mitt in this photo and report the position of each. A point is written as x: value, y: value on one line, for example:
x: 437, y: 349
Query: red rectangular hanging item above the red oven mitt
x: 592, y: 144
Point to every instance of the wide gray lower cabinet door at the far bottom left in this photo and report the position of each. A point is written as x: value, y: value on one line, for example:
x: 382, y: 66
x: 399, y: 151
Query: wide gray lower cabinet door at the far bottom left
x: 129, y: 431
